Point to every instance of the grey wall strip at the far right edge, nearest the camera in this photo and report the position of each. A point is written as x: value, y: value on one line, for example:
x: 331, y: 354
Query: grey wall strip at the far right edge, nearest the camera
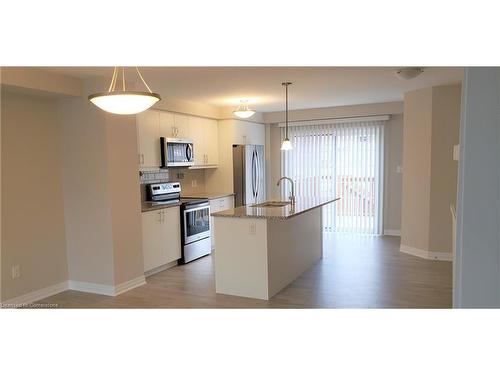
x: 477, y: 259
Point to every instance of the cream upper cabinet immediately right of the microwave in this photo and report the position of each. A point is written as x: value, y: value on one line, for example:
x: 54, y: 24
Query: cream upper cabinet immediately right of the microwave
x: 204, y: 133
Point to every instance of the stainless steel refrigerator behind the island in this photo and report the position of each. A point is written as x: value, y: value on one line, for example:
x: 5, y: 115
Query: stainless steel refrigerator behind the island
x: 249, y: 174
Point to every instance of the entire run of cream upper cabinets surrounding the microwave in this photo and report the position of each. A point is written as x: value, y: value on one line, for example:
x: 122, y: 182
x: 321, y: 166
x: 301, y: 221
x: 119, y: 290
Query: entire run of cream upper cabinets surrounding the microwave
x: 152, y: 124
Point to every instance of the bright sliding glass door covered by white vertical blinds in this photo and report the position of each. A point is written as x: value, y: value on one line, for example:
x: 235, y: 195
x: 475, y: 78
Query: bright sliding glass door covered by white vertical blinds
x: 343, y: 160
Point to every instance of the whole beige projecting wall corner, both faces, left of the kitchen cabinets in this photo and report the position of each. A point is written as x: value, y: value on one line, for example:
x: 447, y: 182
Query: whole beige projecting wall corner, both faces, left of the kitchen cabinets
x: 101, y: 193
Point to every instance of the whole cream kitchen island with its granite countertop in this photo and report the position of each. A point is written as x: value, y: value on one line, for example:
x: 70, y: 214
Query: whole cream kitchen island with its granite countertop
x: 260, y: 249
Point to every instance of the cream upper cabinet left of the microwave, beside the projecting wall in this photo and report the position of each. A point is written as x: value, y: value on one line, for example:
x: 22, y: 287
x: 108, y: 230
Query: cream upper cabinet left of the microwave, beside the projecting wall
x: 148, y: 137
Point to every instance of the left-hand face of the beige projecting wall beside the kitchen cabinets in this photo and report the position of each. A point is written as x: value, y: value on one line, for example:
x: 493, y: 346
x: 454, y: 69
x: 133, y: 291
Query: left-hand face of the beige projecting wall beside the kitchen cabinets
x: 86, y: 195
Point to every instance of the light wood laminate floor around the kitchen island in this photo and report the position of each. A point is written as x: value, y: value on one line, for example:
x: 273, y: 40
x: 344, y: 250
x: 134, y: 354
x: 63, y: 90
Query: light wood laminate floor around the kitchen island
x: 355, y: 272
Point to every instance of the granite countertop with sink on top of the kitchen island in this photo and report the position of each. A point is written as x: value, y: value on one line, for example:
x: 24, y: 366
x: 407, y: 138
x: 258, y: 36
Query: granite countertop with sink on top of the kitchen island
x: 302, y: 204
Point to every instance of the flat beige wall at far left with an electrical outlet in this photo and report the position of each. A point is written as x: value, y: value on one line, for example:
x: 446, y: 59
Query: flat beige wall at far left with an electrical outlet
x: 32, y: 217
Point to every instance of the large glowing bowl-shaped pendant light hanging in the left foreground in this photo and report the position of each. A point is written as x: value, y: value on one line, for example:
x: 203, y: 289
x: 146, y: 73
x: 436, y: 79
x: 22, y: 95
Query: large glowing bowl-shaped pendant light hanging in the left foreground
x: 124, y: 102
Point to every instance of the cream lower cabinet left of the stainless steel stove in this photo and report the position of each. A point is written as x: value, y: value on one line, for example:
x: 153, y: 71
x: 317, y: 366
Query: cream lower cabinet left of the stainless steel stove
x: 161, y: 237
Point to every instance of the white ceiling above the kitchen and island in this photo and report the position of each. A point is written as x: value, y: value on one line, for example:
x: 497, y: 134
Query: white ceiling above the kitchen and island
x: 313, y: 87
